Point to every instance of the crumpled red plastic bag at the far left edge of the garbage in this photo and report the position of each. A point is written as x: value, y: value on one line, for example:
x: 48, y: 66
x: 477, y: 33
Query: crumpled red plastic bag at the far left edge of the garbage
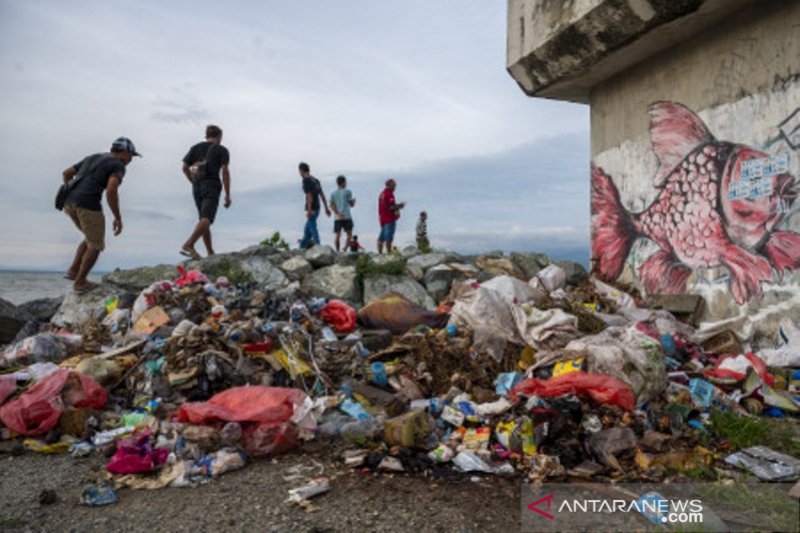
x: 37, y: 410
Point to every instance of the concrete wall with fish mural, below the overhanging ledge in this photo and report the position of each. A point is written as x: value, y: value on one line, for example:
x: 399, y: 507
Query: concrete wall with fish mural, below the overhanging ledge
x: 695, y: 162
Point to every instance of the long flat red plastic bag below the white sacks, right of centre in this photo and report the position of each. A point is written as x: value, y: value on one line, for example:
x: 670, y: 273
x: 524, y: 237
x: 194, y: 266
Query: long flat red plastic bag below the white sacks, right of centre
x: 601, y: 388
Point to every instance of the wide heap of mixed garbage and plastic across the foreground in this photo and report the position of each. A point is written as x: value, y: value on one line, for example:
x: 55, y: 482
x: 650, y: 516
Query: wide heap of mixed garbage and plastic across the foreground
x: 535, y: 377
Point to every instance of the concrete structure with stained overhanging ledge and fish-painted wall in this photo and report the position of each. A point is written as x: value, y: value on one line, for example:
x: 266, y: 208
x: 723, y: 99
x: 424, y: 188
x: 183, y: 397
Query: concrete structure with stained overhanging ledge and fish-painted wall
x: 695, y: 139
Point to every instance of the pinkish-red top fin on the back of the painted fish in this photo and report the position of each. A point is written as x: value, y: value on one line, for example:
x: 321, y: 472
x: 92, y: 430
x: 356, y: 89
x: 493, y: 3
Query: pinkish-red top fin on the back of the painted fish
x: 675, y: 131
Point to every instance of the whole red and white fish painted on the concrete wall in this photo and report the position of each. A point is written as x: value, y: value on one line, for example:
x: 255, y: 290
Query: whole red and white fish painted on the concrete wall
x: 719, y: 205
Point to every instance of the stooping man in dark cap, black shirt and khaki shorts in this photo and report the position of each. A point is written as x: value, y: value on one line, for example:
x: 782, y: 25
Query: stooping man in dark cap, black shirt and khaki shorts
x: 95, y: 174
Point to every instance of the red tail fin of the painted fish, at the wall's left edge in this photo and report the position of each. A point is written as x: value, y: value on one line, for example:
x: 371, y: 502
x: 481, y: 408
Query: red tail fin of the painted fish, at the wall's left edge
x: 612, y: 230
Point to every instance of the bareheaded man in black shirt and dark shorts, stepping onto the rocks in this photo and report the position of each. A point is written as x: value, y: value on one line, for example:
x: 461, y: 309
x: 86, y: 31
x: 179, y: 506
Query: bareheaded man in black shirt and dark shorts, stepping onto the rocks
x: 202, y: 166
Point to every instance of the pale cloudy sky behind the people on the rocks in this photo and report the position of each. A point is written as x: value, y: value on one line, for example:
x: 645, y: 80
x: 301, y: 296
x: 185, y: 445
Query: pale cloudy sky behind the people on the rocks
x: 414, y: 90
